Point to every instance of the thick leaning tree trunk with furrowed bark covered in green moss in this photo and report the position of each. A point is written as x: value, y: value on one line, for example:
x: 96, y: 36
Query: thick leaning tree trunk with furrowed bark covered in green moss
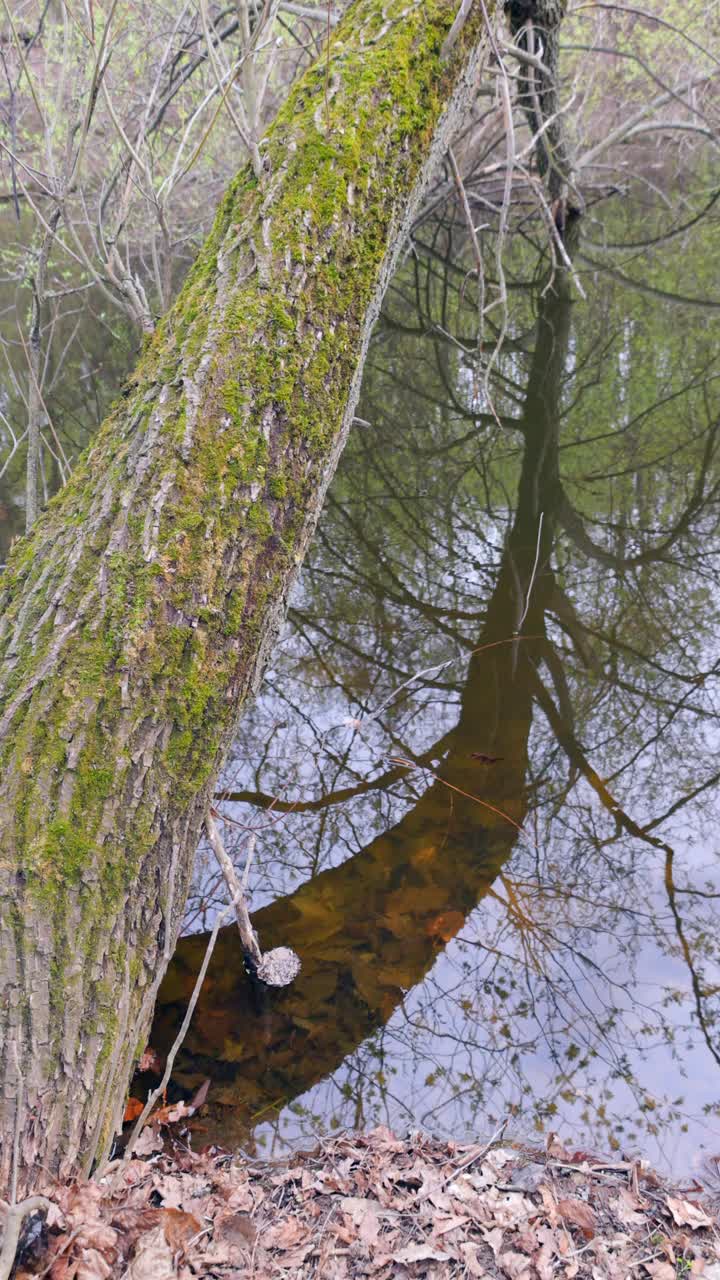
x: 136, y: 620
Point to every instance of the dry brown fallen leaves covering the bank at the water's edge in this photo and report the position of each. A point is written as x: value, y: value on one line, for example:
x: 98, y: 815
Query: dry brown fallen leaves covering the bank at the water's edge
x: 375, y: 1205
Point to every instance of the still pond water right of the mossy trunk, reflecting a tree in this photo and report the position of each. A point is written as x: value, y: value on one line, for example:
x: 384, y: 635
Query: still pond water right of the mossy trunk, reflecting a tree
x: 582, y: 985
